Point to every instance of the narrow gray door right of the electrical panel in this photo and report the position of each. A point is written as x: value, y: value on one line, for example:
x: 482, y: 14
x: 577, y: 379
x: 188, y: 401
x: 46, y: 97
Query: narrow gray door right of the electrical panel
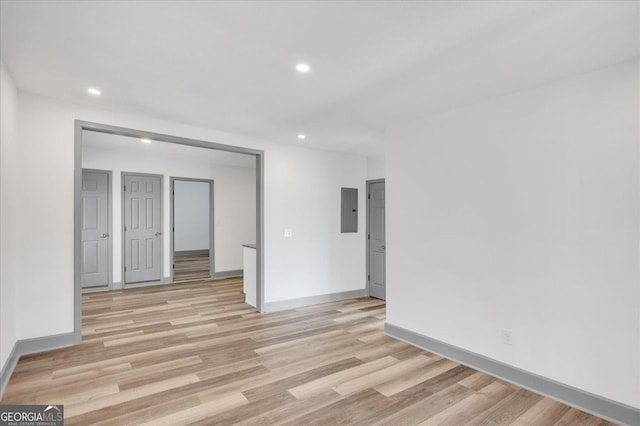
x: 376, y: 231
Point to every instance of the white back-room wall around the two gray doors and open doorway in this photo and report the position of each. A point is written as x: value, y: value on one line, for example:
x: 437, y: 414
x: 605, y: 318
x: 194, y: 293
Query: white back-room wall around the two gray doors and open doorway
x: 234, y: 201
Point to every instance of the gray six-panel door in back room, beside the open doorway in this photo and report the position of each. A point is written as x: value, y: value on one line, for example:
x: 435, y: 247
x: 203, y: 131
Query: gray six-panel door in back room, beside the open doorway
x: 142, y: 232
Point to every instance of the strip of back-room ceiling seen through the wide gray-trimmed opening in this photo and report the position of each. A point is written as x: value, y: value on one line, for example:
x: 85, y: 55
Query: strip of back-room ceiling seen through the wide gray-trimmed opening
x: 213, y: 157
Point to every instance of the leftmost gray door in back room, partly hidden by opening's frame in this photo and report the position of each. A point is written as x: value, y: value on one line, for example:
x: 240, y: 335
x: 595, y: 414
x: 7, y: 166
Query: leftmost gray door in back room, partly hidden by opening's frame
x: 95, y: 230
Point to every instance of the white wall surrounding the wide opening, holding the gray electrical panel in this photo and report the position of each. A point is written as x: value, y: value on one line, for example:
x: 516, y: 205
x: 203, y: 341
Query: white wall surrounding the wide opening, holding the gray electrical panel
x: 302, y: 192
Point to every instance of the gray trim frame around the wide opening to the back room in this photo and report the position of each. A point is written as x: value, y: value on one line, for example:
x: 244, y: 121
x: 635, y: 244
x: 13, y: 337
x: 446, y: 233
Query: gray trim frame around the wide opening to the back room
x: 80, y: 126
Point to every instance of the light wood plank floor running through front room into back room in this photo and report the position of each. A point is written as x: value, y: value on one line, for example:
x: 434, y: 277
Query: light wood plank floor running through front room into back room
x: 196, y: 354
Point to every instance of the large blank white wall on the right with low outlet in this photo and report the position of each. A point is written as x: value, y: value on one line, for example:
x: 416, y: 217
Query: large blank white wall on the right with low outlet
x: 522, y: 213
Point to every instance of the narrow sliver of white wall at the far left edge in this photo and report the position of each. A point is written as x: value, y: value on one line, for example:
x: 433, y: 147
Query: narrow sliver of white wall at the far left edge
x: 8, y: 213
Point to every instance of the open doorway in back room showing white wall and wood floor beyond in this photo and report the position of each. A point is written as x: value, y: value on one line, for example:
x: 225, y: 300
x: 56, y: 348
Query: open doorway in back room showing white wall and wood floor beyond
x: 192, y: 229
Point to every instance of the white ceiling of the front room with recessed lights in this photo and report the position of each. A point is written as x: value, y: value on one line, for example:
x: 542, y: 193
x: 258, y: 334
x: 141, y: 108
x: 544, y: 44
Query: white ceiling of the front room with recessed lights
x: 230, y: 65
